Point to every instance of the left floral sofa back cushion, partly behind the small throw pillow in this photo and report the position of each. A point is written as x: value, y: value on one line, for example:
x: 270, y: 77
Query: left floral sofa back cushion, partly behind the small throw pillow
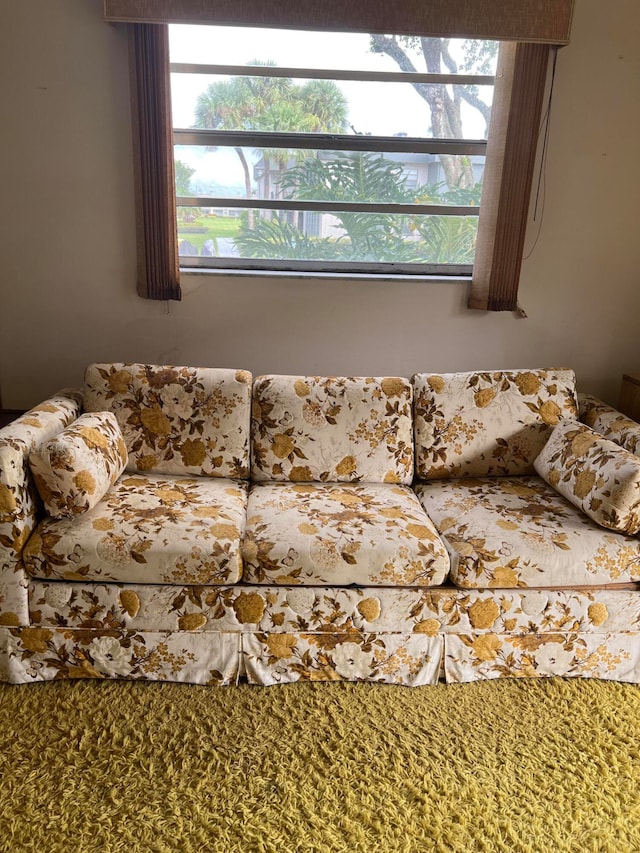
x: 176, y: 420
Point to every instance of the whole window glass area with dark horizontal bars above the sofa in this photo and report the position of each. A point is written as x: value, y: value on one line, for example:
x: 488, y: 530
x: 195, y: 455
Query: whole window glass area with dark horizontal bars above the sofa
x: 339, y: 152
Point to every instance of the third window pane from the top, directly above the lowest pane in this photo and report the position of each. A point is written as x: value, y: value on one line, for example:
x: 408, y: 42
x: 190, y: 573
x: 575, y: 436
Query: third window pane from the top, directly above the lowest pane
x: 335, y: 176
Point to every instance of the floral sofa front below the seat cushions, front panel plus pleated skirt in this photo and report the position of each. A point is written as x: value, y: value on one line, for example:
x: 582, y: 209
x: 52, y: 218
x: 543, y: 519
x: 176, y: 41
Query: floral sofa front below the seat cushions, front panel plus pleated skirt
x: 273, y: 635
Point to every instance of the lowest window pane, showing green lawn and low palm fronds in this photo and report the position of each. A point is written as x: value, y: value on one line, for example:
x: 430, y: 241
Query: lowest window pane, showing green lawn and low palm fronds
x: 335, y: 237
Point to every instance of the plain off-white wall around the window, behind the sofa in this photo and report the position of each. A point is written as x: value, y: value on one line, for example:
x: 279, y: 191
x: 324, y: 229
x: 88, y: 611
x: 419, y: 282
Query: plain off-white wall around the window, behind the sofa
x: 68, y: 254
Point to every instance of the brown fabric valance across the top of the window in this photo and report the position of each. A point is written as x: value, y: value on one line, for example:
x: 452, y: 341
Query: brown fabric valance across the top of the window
x: 547, y: 21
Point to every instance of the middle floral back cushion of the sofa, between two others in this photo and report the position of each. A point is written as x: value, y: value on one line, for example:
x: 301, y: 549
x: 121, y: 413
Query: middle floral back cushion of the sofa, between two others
x: 332, y: 429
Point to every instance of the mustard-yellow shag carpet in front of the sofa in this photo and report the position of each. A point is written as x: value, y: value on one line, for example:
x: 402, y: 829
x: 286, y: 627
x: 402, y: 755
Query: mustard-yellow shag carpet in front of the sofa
x: 548, y: 765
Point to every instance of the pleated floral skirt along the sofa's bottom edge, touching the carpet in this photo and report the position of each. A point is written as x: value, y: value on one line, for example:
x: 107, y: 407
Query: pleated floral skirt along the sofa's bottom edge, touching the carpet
x: 45, y: 654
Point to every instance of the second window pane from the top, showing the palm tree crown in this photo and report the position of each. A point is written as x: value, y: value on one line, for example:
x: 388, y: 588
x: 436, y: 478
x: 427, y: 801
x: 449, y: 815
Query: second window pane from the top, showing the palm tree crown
x: 347, y: 107
